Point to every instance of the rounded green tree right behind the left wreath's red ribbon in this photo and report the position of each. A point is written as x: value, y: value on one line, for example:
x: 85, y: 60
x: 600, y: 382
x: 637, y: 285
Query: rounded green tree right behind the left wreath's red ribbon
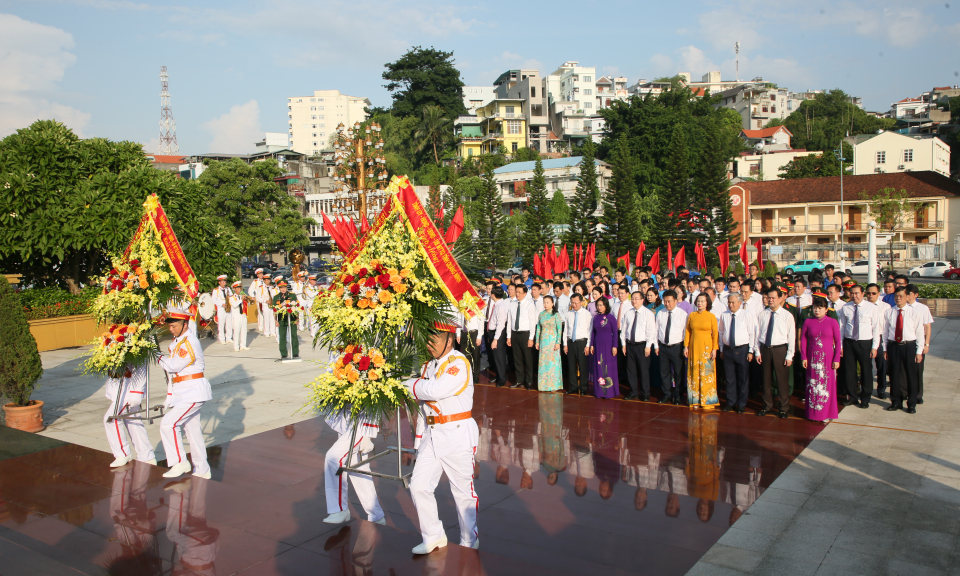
x: 246, y: 198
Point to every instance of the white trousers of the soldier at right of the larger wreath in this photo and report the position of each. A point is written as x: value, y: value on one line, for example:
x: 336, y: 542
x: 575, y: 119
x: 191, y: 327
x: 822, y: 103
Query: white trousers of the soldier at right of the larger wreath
x: 423, y: 484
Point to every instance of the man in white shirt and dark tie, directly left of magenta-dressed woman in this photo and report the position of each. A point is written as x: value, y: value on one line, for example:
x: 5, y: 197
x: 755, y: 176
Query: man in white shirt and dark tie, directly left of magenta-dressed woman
x: 776, y: 341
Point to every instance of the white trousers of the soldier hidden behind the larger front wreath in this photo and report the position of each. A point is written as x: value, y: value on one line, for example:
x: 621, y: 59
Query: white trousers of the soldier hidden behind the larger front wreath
x: 336, y: 486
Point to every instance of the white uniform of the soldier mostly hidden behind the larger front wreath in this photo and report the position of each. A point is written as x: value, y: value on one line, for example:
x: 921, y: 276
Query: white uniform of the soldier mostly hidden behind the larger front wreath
x: 336, y: 487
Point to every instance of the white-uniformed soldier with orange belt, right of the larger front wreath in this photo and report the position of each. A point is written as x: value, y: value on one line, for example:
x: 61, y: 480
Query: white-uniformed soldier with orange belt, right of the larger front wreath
x: 446, y: 442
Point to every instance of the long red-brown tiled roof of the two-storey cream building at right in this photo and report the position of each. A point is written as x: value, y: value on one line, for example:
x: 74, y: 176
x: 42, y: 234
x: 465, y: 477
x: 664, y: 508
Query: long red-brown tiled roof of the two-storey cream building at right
x: 805, y: 190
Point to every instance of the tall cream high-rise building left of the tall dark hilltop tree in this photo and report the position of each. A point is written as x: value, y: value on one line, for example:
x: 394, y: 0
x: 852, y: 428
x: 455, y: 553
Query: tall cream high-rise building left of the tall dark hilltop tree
x: 311, y: 120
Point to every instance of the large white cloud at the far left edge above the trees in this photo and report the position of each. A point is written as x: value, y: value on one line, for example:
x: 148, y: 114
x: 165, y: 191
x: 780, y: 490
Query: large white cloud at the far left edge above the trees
x: 33, y: 58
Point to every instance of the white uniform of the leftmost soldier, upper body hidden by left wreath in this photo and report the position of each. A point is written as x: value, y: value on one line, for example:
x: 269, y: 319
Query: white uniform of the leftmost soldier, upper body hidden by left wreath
x: 125, y: 395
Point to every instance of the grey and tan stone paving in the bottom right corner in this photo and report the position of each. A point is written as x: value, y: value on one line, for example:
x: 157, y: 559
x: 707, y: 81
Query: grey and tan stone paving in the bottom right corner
x: 874, y: 493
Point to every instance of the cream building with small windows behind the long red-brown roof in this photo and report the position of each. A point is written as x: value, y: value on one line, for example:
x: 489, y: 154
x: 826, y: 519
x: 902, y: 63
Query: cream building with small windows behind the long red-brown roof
x: 889, y: 151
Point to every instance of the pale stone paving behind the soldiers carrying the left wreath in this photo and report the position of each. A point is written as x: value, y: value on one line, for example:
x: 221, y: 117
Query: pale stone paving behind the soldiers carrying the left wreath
x: 251, y: 392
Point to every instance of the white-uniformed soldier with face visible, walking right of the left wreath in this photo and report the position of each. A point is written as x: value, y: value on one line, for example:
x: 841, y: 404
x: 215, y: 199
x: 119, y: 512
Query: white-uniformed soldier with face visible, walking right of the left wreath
x: 187, y: 390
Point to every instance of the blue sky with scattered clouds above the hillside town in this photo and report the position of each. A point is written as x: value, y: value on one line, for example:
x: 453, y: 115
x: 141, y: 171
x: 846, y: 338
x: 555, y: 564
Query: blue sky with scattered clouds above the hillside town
x: 94, y: 64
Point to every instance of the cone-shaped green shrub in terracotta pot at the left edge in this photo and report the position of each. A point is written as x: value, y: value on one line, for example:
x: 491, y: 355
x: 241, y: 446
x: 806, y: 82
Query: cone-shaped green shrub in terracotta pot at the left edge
x: 20, y: 366
